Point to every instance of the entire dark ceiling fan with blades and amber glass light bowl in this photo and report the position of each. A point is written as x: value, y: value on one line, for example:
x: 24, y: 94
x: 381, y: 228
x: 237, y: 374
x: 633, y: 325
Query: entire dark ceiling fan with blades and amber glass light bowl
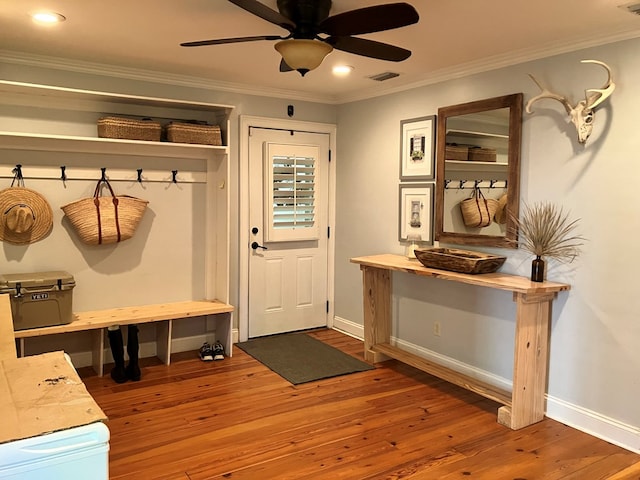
x: 313, y: 34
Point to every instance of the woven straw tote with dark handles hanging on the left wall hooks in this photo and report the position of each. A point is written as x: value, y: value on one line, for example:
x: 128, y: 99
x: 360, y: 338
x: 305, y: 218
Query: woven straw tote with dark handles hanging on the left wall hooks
x: 101, y: 220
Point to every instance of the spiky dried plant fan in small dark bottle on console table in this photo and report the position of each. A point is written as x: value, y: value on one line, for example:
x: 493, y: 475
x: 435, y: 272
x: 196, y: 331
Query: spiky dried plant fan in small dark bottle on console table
x: 546, y: 231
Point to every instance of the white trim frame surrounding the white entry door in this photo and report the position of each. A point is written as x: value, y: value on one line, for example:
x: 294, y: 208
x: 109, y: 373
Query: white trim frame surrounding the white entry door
x: 246, y: 122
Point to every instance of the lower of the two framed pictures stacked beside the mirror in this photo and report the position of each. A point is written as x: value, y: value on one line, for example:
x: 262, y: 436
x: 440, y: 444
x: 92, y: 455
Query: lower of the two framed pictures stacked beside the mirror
x: 416, y: 212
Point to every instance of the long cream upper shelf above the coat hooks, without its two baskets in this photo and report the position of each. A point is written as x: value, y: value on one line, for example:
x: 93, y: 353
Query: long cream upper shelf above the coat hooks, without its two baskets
x: 79, y: 129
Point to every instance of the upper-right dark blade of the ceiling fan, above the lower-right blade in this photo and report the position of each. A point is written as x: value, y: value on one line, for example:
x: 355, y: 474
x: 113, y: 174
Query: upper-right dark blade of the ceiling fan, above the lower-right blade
x: 370, y: 19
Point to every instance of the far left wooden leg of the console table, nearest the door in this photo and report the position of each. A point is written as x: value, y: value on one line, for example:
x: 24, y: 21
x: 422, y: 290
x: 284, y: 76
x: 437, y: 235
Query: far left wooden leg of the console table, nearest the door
x: 377, y: 310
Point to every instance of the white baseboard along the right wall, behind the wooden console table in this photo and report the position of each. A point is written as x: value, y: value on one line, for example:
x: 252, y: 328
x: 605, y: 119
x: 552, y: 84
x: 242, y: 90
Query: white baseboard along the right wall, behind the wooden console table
x: 575, y: 416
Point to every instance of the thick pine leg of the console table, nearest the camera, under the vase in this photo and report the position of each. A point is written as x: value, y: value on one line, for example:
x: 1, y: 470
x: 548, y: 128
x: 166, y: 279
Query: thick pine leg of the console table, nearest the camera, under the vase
x: 531, y: 359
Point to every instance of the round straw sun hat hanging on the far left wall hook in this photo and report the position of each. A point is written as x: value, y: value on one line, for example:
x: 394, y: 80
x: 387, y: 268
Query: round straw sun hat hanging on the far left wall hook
x: 25, y: 216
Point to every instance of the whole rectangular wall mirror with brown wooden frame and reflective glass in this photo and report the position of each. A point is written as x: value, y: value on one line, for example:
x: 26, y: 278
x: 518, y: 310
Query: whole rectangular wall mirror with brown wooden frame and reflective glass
x: 478, y: 158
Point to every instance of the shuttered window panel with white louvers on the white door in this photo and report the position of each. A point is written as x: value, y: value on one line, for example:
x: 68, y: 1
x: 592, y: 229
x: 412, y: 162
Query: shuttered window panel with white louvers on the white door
x: 290, y: 192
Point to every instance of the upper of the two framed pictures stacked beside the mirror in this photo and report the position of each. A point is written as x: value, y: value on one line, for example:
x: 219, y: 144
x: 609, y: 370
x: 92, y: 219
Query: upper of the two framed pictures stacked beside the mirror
x: 417, y: 148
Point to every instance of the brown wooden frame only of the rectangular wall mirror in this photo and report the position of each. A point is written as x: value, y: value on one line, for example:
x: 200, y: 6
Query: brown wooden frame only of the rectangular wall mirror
x: 475, y: 236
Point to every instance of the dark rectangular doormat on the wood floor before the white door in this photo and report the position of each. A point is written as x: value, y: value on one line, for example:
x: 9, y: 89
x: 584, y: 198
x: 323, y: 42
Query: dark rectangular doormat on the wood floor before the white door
x: 299, y: 358
